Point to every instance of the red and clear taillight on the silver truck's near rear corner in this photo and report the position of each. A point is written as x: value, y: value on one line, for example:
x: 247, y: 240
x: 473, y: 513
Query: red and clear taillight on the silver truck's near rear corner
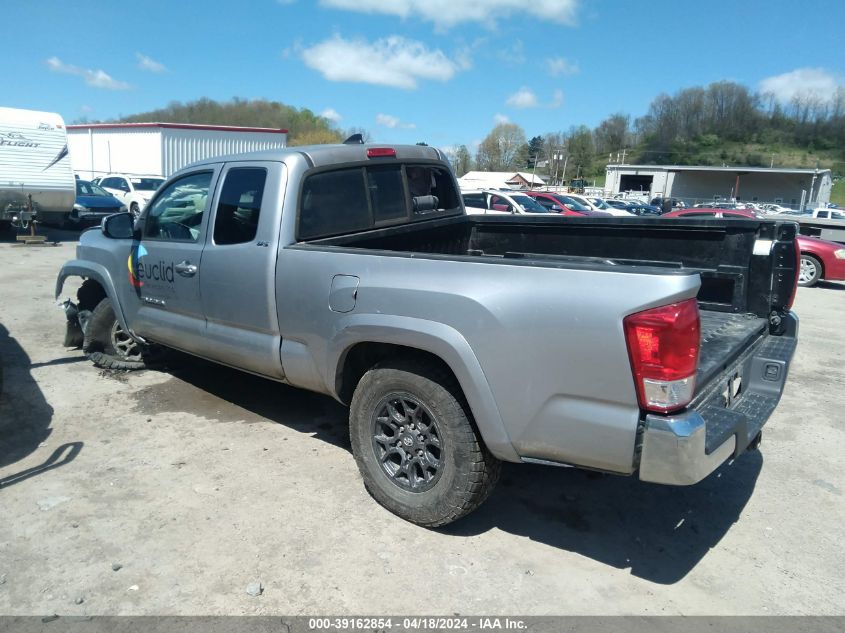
x: 663, y: 345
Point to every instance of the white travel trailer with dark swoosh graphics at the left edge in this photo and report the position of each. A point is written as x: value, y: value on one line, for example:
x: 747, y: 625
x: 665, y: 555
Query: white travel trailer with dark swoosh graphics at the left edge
x: 34, y: 165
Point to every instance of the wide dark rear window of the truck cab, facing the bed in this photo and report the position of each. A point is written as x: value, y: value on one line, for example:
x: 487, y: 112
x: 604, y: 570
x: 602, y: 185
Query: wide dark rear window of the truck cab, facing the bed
x: 348, y: 199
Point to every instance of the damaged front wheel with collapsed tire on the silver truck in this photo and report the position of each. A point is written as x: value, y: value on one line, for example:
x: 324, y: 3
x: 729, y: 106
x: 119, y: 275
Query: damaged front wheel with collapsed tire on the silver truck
x: 107, y: 345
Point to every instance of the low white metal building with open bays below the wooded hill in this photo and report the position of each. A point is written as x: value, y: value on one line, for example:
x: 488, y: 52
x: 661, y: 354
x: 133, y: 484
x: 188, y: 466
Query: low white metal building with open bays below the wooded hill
x: 694, y: 183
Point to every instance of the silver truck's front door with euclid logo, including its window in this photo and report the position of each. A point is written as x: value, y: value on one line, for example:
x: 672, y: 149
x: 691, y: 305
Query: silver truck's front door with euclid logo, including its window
x: 165, y: 266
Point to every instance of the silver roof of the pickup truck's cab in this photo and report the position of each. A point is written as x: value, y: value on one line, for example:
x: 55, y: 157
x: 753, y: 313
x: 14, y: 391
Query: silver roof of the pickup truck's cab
x: 319, y: 155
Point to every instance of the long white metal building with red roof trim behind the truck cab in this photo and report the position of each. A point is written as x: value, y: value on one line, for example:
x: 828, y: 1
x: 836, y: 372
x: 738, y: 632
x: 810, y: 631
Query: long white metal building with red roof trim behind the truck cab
x: 159, y: 148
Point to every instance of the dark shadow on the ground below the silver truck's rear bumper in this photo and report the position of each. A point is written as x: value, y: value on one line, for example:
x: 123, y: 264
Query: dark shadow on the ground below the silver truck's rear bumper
x: 659, y: 532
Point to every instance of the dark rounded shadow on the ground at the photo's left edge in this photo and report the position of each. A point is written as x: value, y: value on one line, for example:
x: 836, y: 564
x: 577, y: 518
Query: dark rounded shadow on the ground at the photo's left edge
x: 25, y: 414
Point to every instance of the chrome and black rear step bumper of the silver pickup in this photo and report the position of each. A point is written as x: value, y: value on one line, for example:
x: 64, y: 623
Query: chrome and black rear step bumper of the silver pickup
x: 684, y: 448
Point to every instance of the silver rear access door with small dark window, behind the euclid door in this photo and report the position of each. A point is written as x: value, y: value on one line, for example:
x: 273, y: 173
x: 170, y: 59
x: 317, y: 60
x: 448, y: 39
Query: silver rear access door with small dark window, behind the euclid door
x: 237, y: 283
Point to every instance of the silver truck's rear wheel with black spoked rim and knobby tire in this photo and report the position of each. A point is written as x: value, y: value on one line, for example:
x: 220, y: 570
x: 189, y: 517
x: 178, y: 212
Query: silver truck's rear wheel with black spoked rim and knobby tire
x: 423, y: 493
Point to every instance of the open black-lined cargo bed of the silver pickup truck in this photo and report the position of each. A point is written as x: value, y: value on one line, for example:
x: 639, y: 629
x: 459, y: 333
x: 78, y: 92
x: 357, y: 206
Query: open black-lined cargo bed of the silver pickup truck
x: 737, y: 293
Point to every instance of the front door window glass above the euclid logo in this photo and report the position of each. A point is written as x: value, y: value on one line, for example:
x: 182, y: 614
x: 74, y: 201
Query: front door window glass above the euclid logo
x: 176, y: 213
